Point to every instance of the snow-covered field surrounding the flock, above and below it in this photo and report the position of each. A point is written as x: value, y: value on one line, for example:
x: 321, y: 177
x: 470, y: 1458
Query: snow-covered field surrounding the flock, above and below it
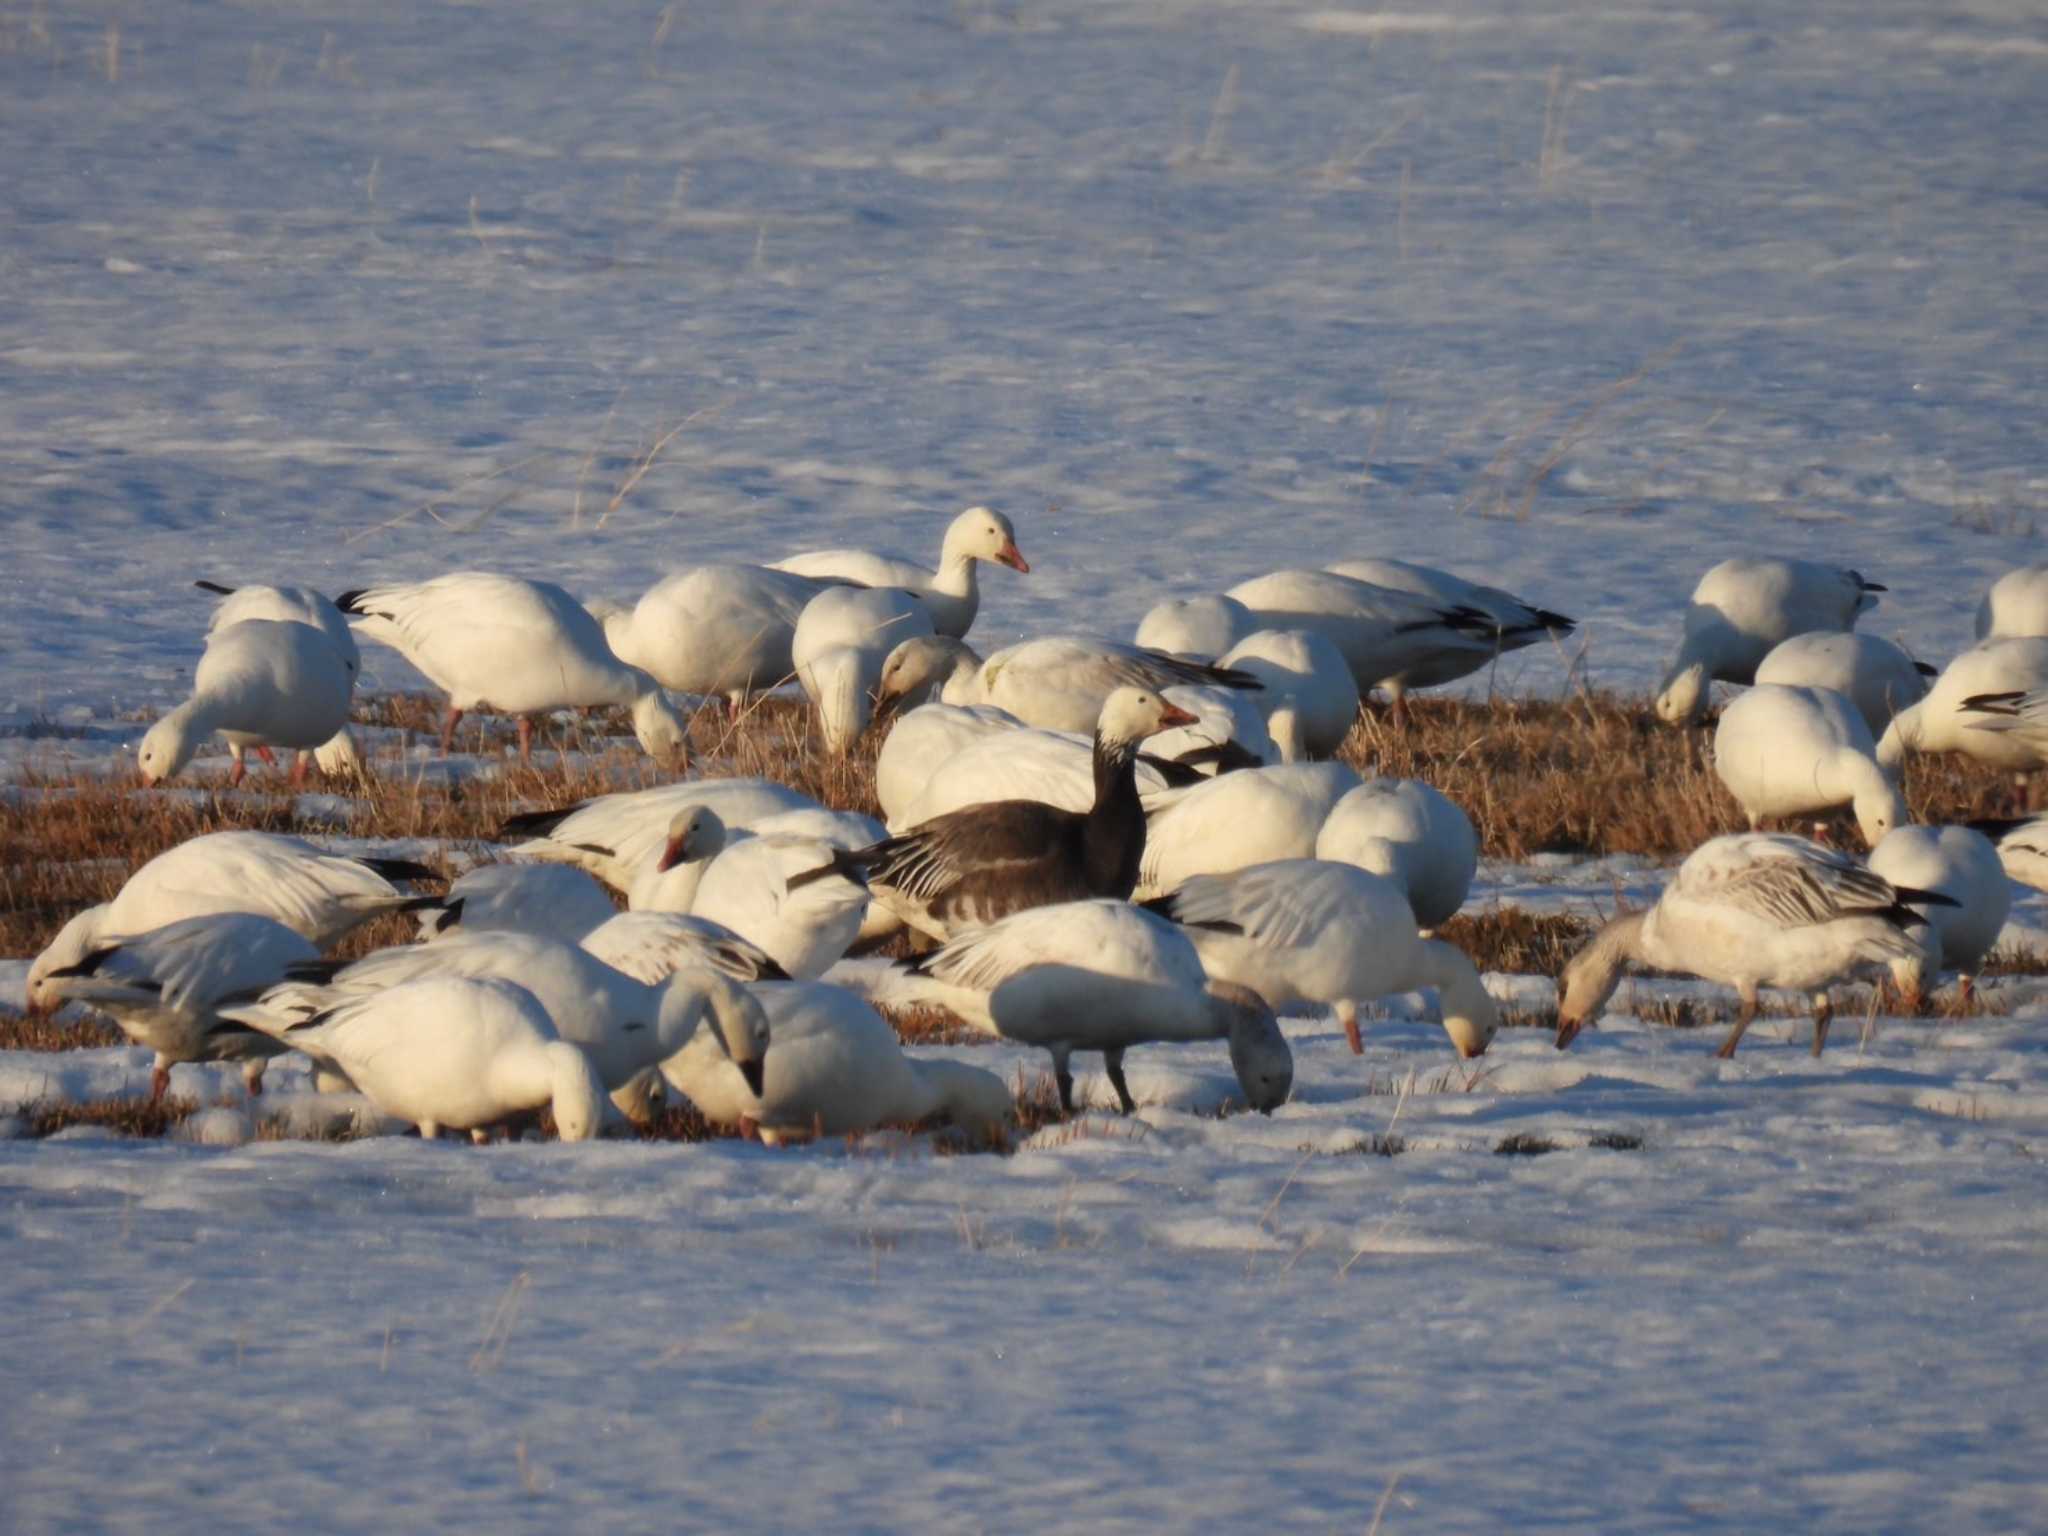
x: 1572, y: 296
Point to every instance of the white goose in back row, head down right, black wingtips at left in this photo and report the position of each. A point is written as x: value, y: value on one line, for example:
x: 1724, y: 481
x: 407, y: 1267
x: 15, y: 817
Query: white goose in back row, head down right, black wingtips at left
x: 515, y: 648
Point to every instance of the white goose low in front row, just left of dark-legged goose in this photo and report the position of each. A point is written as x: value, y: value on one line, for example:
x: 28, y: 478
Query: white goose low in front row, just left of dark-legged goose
x: 837, y: 1070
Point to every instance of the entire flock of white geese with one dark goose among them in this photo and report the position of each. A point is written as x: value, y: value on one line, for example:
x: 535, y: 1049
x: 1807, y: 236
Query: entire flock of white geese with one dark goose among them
x: 1101, y: 845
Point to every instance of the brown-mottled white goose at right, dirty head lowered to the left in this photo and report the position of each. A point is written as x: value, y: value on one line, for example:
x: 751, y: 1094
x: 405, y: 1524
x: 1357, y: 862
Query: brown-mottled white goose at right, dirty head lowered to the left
x: 1754, y: 910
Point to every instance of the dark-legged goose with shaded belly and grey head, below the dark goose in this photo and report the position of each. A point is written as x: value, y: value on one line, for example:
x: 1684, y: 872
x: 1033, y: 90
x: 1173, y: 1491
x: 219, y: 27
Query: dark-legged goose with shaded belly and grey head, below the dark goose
x: 1105, y: 976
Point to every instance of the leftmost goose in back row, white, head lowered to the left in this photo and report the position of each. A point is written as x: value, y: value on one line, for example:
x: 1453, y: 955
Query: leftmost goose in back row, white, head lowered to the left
x: 261, y: 685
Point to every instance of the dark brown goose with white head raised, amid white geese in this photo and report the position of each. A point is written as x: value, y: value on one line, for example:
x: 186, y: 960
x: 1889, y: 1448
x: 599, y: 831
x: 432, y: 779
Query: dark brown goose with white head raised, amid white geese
x: 986, y: 861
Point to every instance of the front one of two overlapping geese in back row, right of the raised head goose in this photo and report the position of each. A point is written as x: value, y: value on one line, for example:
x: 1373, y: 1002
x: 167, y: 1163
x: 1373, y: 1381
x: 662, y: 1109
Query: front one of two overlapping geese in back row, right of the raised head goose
x: 1385, y: 636
